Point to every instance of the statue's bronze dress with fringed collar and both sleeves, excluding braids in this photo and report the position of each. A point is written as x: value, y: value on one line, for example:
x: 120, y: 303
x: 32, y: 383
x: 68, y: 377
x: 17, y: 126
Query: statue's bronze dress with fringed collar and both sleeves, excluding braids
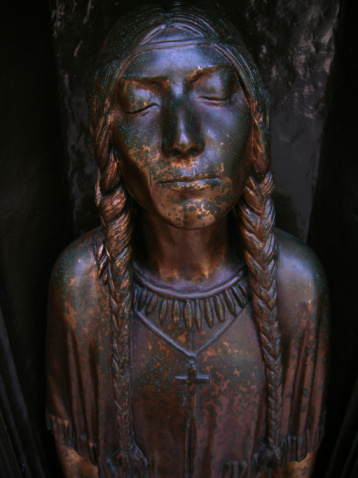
x: 198, y: 381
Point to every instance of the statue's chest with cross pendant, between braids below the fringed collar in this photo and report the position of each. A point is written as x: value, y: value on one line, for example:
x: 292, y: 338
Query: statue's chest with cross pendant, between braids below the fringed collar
x: 199, y: 399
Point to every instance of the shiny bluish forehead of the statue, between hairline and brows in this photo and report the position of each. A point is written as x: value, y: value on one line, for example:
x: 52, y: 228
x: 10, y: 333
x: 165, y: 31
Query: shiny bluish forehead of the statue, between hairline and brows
x: 174, y: 61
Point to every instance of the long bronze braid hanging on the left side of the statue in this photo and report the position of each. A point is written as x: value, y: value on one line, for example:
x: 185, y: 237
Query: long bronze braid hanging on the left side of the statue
x: 116, y: 216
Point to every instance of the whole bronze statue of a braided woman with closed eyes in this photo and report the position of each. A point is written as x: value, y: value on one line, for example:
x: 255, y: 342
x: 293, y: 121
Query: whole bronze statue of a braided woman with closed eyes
x: 175, y: 349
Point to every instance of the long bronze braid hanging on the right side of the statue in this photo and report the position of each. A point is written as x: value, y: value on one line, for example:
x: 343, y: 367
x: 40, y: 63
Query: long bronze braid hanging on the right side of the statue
x: 257, y: 220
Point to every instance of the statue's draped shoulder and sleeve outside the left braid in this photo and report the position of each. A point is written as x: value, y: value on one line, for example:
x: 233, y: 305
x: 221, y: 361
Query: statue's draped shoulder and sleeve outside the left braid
x: 76, y: 304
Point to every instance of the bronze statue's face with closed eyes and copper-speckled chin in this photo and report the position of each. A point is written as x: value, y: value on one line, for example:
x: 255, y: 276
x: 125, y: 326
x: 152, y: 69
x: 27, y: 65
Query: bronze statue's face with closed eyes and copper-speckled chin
x: 181, y: 128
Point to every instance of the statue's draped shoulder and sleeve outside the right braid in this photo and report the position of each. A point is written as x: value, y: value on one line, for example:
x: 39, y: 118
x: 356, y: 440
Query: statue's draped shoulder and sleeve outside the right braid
x: 303, y: 318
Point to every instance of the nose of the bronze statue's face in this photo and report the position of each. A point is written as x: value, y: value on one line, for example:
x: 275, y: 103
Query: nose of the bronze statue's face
x: 182, y: 138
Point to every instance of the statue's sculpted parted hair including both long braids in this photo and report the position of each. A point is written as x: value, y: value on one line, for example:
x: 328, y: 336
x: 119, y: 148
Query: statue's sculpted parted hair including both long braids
x: 255, y: 211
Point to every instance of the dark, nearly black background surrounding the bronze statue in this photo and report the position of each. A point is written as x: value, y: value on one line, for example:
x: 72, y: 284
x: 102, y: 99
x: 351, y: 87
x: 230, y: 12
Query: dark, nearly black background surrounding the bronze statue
x: 307, y: 54
